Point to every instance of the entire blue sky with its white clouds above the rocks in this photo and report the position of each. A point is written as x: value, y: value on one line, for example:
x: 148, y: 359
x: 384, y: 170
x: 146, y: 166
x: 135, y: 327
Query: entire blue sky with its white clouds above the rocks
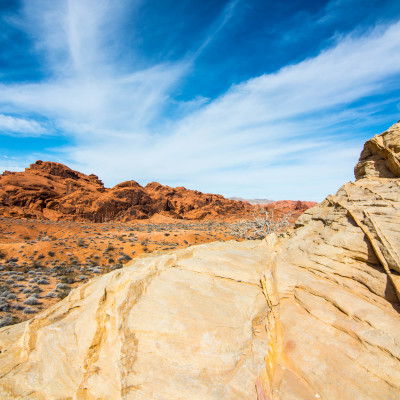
x: 256, y: 98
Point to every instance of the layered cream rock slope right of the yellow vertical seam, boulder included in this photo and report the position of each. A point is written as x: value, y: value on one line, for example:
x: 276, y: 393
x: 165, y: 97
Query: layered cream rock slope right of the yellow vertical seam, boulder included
x: 336, y: 288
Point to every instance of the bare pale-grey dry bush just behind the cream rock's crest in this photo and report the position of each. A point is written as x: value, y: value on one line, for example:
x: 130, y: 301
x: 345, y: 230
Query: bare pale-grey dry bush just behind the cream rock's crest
x: 260, y: 224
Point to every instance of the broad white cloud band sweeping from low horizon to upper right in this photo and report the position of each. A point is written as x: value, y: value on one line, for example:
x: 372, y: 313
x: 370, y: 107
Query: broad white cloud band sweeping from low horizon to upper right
x: 275, y: 135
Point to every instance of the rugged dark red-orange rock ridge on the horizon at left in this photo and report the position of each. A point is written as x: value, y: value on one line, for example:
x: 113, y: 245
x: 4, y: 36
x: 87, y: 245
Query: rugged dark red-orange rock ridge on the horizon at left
x: 49, y: 190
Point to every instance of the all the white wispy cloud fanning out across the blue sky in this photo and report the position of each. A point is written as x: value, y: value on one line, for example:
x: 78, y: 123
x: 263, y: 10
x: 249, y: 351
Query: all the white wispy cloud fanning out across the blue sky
x: 279, y: 135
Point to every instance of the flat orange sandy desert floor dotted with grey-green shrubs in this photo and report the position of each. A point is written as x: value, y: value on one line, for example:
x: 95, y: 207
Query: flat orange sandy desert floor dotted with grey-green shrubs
x: 41, y: 261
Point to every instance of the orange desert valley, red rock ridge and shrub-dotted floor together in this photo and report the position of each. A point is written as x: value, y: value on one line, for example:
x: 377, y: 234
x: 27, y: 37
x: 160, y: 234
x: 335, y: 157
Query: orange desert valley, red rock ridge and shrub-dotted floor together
x: 59, y: 228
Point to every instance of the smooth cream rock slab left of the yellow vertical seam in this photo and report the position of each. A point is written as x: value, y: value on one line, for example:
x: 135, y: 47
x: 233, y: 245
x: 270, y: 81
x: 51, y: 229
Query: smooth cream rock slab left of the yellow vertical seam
x: 185, y: 325
